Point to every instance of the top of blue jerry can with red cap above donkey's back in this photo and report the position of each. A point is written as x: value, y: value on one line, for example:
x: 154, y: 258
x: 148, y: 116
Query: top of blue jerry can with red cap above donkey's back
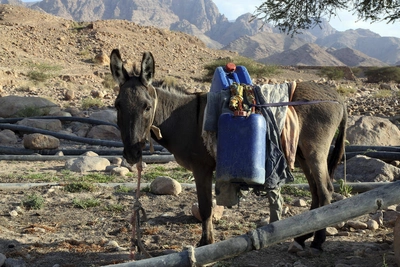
x: 226, y: 76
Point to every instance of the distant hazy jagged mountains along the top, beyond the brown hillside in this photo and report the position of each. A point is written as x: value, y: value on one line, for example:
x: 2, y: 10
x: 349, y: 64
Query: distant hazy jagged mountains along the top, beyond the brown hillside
x: 201, y: 18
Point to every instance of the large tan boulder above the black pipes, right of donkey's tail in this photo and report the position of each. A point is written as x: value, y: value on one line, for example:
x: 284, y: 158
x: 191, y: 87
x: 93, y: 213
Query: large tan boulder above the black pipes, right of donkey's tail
x: 372, y: 131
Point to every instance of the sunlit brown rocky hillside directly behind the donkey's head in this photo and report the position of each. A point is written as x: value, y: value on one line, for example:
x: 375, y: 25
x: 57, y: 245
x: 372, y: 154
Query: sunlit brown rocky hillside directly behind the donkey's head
x: 74, y: 55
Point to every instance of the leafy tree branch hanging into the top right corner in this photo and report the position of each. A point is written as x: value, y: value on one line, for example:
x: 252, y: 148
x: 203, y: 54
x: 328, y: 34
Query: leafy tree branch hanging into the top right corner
x: 293, y: 16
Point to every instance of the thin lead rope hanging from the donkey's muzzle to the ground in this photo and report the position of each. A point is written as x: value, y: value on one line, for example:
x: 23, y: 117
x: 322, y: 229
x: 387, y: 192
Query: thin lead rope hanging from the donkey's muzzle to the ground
x: 136, y: 239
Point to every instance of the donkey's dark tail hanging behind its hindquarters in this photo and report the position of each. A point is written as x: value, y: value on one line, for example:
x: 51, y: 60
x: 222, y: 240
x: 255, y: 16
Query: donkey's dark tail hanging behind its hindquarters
x: 338, y: 150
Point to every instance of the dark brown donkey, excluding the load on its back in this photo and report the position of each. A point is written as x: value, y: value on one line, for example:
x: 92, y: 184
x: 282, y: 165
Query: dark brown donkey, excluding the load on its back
x: 180, y: 116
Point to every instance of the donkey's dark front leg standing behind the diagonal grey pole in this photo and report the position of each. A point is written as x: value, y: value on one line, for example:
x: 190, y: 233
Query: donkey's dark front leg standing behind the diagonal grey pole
x: 203, y: 180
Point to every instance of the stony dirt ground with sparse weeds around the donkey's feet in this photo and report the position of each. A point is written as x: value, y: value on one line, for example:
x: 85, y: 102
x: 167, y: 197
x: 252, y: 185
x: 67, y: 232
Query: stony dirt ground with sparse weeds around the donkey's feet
x: 61, y: 233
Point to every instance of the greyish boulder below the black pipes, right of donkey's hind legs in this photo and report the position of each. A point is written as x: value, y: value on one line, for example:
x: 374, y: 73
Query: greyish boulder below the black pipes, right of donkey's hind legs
x: 365, y: 169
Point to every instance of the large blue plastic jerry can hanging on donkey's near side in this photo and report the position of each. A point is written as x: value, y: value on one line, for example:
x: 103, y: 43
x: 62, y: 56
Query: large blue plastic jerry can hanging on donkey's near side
x: 241, y: 149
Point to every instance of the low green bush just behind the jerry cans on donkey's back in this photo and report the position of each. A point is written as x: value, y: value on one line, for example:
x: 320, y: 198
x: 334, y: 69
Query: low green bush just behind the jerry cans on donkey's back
x: 254, y: 68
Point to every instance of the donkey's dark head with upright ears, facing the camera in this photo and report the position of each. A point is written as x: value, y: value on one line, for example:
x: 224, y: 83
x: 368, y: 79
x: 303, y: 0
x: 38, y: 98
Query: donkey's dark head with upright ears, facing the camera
x: 135, y: 104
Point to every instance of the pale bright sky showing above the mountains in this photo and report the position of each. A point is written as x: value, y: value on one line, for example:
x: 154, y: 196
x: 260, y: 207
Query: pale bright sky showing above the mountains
x: 344, y: 21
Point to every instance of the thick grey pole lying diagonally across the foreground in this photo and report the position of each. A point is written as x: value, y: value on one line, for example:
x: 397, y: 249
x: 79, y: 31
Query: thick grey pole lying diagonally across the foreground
x: 310, y: 221
